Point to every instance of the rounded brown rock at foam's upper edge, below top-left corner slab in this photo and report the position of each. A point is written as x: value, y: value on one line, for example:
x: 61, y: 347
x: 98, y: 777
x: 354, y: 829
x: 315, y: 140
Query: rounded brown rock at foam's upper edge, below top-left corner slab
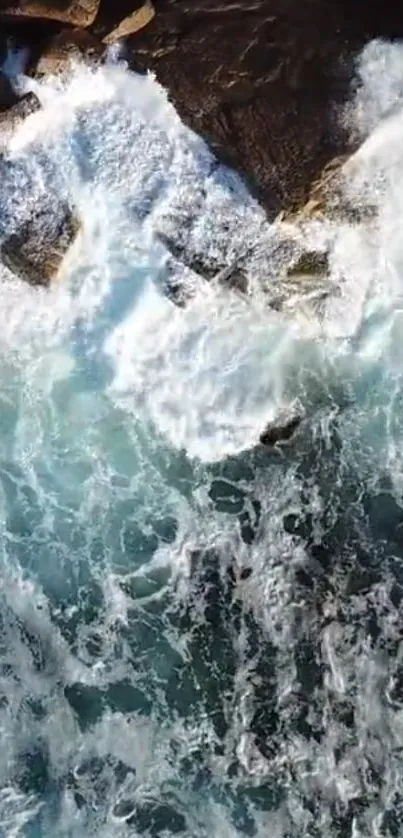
x: 68, y: 45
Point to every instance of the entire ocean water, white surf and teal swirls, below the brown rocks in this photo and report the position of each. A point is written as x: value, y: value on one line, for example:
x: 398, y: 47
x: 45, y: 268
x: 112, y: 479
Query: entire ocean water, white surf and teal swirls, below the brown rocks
x: 199, y: 637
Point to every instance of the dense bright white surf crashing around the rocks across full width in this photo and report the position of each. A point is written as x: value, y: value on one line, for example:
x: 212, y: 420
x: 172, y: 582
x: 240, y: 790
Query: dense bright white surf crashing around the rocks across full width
x: 211, y: 375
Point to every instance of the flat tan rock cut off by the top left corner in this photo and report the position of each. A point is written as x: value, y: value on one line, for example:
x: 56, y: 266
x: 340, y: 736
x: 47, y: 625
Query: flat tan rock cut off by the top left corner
x: 73, y: 12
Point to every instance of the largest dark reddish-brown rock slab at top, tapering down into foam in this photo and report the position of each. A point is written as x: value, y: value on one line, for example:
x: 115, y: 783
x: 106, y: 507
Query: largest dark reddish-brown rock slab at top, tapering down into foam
x: 260, y: 81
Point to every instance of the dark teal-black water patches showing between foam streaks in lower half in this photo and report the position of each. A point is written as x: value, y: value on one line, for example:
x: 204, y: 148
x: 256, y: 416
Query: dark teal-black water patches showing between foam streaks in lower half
x: 352, y: 546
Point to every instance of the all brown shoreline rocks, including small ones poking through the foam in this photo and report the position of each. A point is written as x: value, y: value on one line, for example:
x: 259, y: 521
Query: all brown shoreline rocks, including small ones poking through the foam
x: 263, y: 82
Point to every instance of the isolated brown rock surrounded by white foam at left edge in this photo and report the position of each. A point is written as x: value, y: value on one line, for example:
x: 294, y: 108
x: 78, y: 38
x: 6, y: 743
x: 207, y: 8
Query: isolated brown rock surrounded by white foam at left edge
x: 36, y: 251
